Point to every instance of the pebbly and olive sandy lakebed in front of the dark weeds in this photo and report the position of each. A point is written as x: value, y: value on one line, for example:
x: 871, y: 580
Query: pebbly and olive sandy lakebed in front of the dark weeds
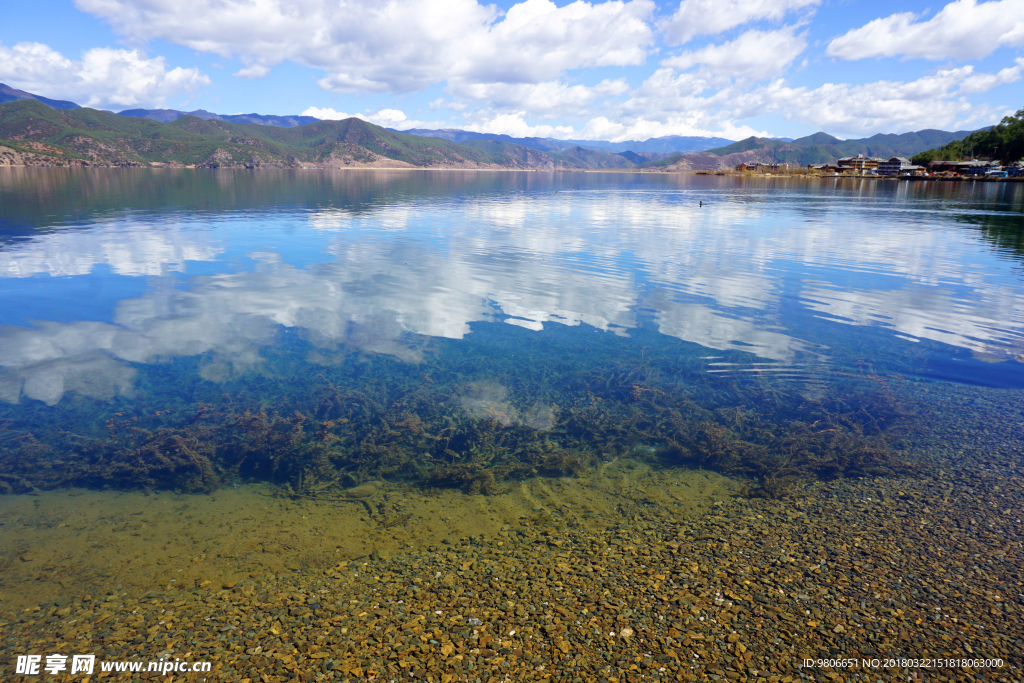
x: 627, y: 572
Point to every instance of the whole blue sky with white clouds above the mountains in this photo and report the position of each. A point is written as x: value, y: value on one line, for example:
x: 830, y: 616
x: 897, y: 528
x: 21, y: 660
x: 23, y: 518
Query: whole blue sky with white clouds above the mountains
x: 617, y: 70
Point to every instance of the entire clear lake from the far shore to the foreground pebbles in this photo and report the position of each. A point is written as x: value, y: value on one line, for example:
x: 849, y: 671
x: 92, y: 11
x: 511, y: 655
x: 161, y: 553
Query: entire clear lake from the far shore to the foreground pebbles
x: 234, y: 381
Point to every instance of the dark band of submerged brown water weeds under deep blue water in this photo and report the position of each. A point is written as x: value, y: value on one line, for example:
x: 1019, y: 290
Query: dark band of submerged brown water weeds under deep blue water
x: 470, y: 415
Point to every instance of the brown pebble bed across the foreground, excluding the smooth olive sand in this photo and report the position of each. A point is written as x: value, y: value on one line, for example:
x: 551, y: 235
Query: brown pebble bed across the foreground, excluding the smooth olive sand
x: 851, y: 571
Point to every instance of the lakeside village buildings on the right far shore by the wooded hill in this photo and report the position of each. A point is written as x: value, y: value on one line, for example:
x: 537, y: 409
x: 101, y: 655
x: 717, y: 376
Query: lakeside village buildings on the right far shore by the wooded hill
x: 898, y: 167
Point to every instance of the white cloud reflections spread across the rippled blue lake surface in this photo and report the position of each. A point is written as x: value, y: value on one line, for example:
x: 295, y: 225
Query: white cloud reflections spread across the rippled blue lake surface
x: 429, y: 255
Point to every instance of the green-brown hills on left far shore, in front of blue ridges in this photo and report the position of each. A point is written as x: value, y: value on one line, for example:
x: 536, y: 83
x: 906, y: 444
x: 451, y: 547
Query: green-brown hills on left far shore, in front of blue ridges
x: 99, y: 138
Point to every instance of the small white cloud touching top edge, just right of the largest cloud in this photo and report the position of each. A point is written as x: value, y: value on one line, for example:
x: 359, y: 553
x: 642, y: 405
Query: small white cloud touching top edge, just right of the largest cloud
x: 709, y: 18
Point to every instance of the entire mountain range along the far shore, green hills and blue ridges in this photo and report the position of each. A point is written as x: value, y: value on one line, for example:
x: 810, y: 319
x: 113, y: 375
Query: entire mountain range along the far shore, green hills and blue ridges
x: 36, y: 131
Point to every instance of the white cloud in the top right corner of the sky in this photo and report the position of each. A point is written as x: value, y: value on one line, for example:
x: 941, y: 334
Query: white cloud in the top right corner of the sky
x: 966, y: 30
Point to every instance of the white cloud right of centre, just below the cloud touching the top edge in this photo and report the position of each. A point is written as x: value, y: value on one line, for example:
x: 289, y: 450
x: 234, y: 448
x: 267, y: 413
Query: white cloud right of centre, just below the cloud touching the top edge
x: 754, y: 56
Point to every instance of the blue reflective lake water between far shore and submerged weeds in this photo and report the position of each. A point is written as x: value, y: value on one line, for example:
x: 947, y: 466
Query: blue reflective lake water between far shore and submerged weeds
x: 137, y: 291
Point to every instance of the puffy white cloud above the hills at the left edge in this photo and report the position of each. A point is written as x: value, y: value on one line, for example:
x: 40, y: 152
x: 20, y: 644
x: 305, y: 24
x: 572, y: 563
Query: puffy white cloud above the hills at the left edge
x: 105, y: 78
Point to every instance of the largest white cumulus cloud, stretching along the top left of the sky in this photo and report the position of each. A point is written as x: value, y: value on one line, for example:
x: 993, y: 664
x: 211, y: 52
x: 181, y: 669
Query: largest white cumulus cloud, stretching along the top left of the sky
x: 398, y: 47
